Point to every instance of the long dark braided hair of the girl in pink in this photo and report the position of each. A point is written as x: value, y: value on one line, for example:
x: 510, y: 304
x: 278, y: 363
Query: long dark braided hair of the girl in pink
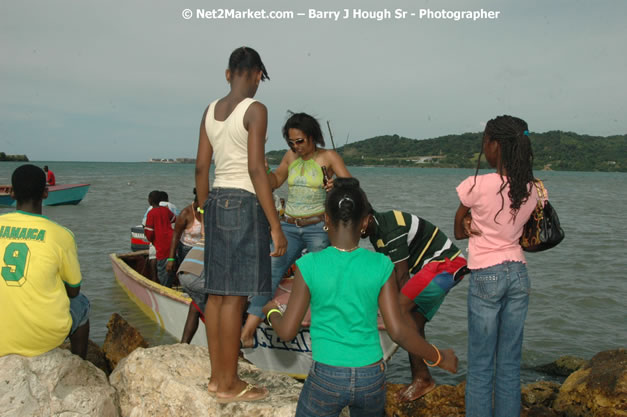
x: 512, y: 134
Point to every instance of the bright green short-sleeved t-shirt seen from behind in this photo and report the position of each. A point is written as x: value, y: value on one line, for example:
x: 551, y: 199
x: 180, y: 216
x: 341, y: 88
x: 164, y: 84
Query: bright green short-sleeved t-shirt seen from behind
x: 344, y: 289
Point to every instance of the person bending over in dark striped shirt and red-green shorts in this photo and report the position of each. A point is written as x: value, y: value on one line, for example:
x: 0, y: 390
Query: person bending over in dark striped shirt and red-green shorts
x: 427, y: 266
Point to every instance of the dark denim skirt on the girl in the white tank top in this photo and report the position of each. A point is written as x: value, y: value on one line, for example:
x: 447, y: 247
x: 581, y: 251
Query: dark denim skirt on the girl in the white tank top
x: 237, y: 244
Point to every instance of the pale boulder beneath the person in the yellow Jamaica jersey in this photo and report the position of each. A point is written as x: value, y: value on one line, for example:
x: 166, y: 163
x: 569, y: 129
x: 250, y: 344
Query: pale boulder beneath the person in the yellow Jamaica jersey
x: 56, y: 383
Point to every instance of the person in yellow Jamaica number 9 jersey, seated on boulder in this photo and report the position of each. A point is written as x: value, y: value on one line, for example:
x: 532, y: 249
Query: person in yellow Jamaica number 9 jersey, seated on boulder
x: 40, y: 277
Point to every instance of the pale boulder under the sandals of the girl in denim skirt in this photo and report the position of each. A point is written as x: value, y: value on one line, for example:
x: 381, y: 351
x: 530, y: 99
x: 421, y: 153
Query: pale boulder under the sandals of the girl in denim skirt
x: 171, y: 380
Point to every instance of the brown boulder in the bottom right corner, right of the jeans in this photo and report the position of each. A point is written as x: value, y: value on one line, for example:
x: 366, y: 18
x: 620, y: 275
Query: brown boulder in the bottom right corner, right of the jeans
x: 598, y: 389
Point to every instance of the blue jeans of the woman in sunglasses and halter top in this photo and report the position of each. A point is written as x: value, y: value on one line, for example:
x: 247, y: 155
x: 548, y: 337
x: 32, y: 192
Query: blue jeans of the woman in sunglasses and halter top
x: 311, y: 237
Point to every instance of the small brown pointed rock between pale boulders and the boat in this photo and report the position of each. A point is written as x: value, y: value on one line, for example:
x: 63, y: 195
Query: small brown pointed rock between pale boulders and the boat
x: 121, y: 340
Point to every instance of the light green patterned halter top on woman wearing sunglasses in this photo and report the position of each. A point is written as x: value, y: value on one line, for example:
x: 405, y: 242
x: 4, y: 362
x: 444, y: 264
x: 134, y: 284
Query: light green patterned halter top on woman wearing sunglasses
x: 306, y: 193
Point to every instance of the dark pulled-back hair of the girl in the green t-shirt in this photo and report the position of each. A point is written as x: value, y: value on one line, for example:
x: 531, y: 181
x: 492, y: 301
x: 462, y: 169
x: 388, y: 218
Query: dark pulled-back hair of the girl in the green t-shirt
x: 346, y: 202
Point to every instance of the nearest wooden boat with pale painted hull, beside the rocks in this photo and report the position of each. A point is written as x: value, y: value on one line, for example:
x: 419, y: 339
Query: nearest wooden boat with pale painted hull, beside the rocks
x: 169, y: 307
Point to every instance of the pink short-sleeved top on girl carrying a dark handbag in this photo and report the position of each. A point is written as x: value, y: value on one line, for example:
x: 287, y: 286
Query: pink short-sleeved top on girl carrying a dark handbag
x: 498, y: 242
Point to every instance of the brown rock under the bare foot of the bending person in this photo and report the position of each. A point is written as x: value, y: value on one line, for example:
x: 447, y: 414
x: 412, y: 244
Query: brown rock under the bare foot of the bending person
x: 443, y: 401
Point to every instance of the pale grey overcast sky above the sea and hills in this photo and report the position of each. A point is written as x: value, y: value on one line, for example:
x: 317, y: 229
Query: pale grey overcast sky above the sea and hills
x: 129, y: 81
